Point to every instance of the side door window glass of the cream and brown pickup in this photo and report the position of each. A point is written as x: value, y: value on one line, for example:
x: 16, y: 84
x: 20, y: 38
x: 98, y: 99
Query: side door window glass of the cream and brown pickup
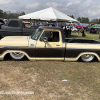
x: 52, y: 36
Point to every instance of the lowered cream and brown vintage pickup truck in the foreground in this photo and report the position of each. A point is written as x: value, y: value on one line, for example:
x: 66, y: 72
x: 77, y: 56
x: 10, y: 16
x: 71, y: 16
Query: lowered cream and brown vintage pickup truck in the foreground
x: 49, y: 43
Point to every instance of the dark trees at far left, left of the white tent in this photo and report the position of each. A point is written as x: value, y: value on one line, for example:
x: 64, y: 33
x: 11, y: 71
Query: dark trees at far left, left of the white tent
x: 9, y: 14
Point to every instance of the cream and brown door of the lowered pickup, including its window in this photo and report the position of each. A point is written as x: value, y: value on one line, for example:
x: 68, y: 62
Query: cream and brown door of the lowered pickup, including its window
x: 52, y: 49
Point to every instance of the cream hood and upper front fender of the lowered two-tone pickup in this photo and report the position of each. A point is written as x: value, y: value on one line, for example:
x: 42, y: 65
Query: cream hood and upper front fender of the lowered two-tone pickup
x: 14, y: 41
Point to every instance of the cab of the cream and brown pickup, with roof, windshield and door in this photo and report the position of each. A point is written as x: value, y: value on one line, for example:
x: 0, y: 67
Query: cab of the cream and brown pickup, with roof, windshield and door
x: 49, y: 41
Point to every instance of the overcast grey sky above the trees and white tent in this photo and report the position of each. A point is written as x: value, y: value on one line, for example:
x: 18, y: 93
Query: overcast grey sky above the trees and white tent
x: 78, y: 8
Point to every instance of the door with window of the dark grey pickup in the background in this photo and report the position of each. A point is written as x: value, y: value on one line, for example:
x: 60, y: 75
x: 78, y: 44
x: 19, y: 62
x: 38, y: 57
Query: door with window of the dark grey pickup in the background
x: 13, y: 28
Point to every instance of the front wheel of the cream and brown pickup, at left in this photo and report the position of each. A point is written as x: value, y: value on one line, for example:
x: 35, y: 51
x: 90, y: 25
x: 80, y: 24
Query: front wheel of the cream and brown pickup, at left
x: 17, y: 56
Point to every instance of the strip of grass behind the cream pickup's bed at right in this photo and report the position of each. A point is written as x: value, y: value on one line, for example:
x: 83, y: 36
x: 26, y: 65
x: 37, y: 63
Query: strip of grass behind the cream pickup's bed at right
x: 88, y: 35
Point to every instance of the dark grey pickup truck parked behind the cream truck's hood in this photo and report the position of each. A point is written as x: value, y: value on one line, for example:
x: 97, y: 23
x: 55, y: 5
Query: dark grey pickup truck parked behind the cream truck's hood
x: 15, y: 27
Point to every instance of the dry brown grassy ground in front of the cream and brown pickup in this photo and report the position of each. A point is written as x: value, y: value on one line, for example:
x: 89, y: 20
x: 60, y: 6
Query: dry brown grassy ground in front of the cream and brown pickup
x: 44, y: 78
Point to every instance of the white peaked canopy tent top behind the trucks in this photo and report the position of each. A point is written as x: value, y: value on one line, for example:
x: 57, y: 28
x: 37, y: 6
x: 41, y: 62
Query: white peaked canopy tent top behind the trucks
x: 49, y: 14
